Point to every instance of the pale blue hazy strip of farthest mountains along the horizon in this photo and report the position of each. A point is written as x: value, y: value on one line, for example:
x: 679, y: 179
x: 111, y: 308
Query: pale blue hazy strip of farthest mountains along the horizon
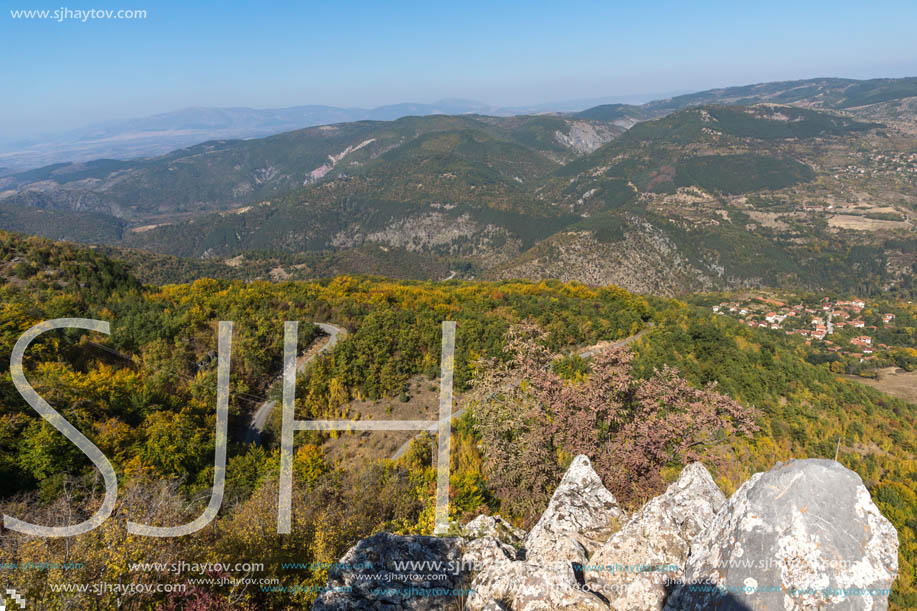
x: 164, y: 132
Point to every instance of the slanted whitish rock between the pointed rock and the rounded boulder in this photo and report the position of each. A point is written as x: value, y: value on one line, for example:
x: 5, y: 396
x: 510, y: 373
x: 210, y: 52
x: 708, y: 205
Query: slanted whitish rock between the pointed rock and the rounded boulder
x: 631, y: 569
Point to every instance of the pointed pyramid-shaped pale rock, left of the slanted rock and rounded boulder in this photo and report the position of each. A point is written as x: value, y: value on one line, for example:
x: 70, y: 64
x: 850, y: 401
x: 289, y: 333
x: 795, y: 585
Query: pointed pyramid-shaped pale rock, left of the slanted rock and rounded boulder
x: 580, y: 517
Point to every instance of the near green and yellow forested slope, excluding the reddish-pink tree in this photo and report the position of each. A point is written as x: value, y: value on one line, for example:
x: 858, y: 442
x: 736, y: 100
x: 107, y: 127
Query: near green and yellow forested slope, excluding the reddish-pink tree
x: 145, y: 396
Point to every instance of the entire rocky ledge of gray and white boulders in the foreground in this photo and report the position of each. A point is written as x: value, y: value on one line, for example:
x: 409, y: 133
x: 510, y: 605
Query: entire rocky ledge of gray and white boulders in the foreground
x: 803, y: 536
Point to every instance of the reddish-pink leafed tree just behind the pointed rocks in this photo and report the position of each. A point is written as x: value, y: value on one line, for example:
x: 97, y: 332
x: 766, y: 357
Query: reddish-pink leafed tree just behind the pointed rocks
x: 532, y: 420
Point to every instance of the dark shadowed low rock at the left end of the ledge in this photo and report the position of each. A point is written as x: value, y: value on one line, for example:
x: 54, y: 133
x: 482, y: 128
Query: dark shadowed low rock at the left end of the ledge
x: 368, y: 578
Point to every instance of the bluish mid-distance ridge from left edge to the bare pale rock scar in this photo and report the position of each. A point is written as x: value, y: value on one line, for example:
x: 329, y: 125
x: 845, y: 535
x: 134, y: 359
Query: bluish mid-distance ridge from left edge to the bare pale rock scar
x: 227, y: 174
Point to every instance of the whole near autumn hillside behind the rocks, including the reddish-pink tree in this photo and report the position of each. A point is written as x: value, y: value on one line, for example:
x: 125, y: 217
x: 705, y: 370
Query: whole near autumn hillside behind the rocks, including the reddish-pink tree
x: 146, y: 396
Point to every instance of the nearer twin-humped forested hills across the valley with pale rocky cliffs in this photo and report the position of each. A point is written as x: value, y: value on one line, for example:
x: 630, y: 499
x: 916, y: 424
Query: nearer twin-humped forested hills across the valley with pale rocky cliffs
x: 706, y: 198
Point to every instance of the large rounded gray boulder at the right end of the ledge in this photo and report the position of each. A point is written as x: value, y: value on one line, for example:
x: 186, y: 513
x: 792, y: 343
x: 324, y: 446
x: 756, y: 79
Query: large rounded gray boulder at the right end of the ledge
x: 808, y: 531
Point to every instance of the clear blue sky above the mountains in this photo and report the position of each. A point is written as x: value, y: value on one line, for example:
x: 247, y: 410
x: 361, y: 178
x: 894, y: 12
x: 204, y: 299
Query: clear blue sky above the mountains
x: 57, y: 75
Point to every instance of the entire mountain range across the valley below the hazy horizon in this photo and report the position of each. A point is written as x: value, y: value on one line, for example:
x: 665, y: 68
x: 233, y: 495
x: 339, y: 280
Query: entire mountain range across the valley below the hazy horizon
x: 804, y: 184
